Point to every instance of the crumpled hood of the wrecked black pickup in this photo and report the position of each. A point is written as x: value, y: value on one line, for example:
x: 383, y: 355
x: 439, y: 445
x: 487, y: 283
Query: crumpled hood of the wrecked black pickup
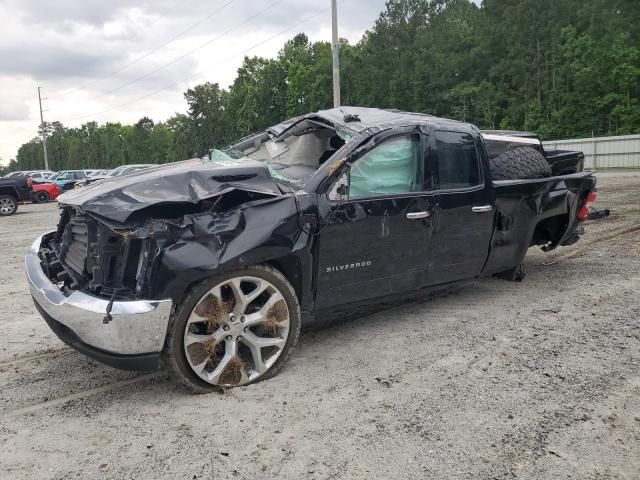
x: 189, y: 181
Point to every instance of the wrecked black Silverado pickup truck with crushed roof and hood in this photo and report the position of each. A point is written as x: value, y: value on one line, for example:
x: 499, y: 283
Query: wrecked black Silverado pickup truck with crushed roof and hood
x: 211, y: 265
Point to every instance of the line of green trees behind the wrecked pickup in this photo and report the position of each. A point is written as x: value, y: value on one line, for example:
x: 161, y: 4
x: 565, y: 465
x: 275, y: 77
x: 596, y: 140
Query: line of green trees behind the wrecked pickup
x: 562, y: 68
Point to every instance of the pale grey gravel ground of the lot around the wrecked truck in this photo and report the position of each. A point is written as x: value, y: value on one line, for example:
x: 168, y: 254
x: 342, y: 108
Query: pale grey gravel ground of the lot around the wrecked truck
x: 499, y: 380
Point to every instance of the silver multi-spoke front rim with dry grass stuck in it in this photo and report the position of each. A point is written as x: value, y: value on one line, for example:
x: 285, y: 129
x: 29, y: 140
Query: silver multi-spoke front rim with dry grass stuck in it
x: 237, y: 331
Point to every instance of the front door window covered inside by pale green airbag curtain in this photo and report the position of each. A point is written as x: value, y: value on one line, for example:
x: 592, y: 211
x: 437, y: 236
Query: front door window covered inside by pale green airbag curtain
x: 392, y: 167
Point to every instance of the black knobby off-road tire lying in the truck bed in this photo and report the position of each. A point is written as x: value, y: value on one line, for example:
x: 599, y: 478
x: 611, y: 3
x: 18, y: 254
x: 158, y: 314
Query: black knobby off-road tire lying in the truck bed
x: 520, y: 163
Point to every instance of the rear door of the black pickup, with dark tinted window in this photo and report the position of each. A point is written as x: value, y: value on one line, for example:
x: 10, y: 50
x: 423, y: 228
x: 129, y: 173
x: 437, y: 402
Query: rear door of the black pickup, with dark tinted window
x: 465, y: 208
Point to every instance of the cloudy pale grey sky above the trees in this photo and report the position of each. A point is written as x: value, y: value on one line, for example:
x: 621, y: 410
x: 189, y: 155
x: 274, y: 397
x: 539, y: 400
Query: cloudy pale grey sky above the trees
x: 120, y: 60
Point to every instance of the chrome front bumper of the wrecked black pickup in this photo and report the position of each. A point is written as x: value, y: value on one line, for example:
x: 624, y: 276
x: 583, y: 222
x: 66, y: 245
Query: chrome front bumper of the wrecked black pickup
x: 137, y: 327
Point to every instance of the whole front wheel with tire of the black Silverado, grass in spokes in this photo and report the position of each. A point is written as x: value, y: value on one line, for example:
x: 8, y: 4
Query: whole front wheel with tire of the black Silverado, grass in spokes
x: 233, y: 329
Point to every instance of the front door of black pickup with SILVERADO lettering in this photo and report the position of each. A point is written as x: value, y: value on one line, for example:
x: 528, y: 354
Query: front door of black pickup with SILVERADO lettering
x: 375, y: 239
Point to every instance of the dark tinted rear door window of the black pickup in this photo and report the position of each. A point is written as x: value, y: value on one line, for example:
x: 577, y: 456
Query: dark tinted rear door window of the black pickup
x: 457, y: 161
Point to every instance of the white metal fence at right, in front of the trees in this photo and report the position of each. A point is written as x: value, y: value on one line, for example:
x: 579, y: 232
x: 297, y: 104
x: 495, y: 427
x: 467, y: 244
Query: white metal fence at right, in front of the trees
x: 603, y: 152
